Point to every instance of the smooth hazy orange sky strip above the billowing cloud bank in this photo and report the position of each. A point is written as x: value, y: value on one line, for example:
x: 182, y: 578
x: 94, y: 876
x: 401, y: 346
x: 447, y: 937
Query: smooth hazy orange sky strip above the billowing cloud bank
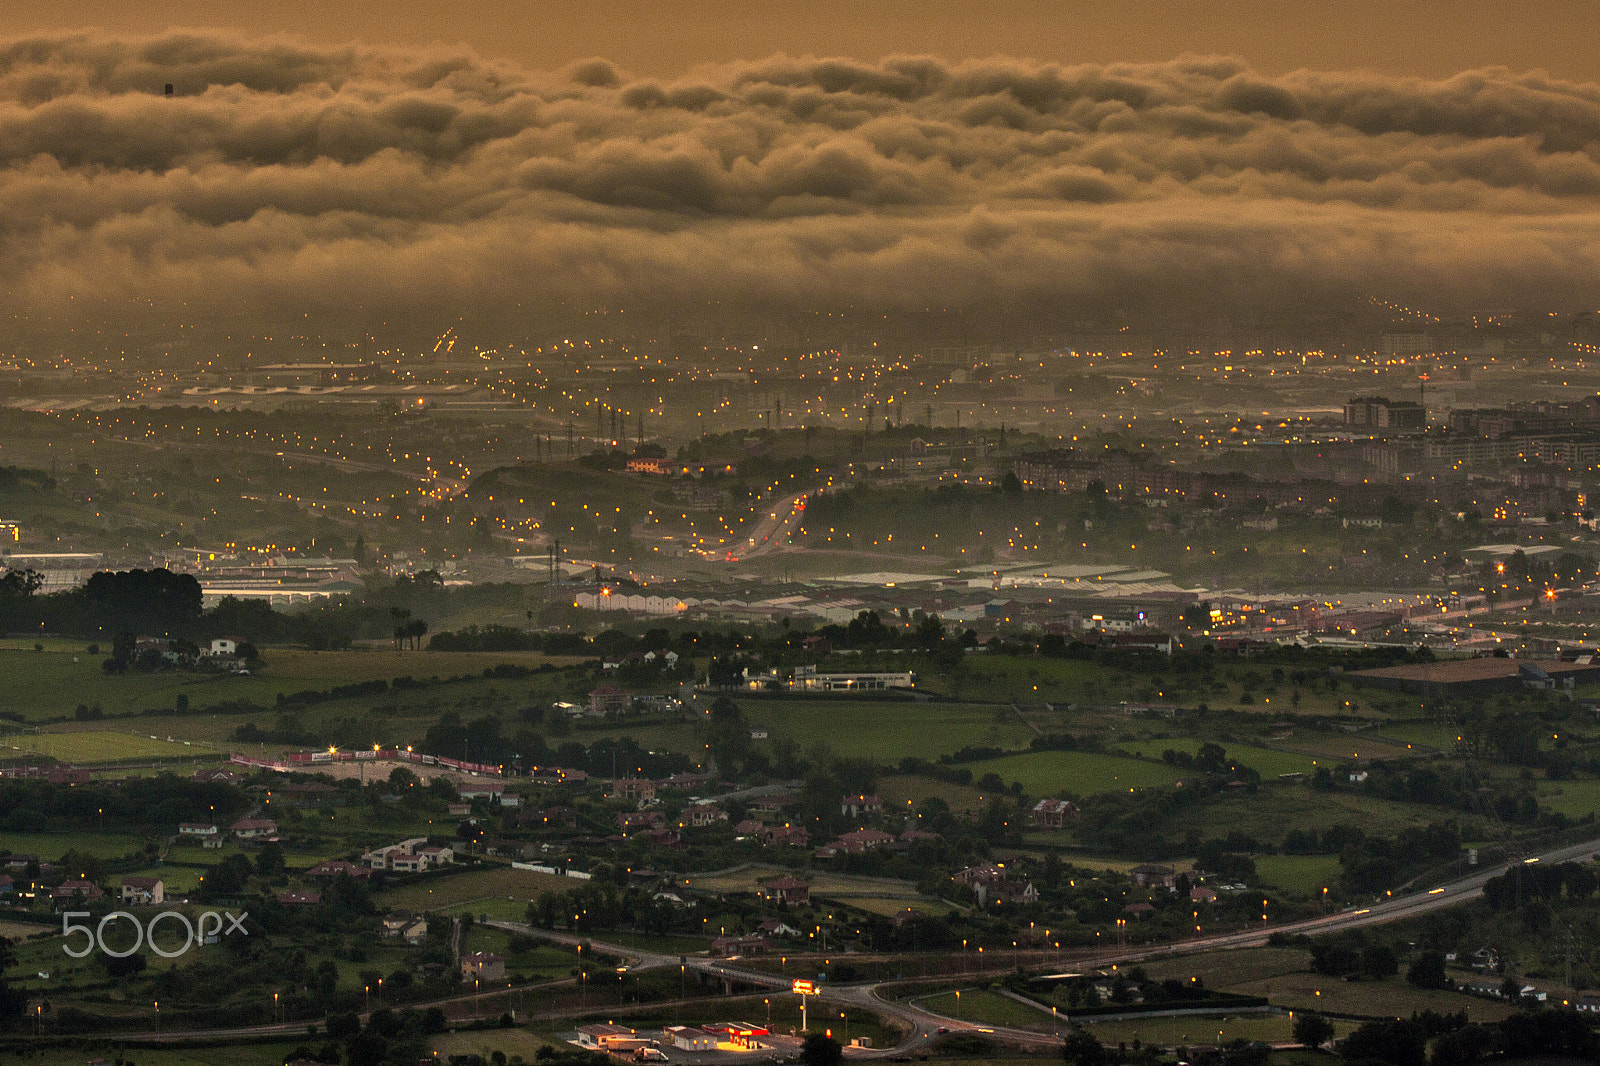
x: 662, y: 38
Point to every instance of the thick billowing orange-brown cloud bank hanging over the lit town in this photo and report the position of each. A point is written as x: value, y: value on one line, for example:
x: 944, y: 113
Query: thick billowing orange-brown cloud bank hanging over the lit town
x: 284, y: 175
